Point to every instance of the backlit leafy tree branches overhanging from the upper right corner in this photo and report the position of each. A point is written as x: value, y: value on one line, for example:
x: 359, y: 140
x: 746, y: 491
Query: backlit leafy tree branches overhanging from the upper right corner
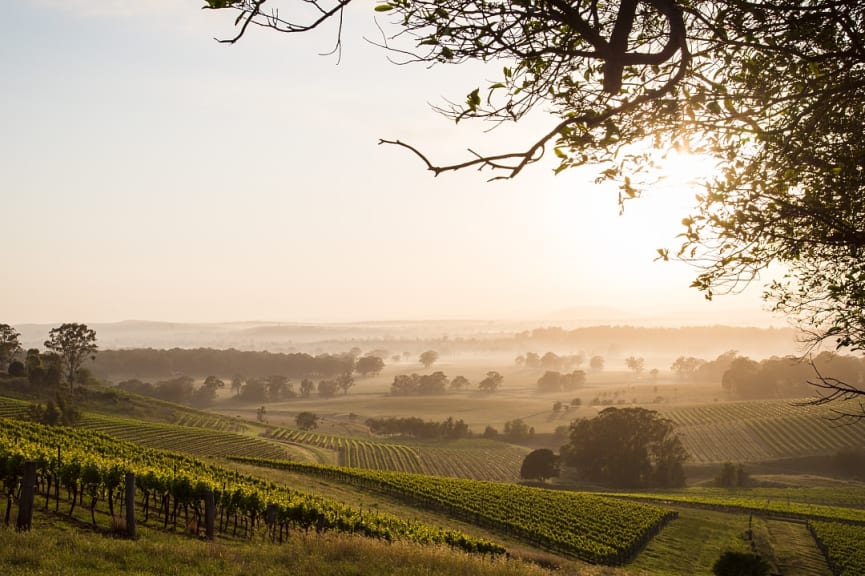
x: 773, y: 92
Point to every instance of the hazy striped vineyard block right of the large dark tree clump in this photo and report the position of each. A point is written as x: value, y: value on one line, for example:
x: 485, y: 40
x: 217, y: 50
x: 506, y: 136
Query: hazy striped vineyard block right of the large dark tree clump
x: 761, y: 430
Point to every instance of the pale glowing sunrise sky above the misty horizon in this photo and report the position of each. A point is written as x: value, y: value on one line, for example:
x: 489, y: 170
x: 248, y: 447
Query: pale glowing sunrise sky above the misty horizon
x: 149, y: 172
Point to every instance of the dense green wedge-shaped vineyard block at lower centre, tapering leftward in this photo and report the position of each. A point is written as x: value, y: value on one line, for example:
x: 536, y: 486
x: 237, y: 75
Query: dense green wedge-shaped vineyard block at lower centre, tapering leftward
x: 592, y: 528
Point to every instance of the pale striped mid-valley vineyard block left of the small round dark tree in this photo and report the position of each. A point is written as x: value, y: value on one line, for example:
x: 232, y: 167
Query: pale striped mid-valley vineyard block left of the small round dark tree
x: 473, y: 459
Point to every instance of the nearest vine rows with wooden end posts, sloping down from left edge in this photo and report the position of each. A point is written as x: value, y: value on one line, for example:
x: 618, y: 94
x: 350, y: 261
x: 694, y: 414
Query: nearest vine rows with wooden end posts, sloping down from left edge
x: 90, y: 464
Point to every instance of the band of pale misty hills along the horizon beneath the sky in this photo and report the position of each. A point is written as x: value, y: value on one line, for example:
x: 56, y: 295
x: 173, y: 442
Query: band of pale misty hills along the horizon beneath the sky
x: 456, y: 335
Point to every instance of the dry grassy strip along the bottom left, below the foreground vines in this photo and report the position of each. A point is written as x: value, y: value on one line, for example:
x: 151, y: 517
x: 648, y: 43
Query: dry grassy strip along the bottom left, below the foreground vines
x: 85, y: 553
